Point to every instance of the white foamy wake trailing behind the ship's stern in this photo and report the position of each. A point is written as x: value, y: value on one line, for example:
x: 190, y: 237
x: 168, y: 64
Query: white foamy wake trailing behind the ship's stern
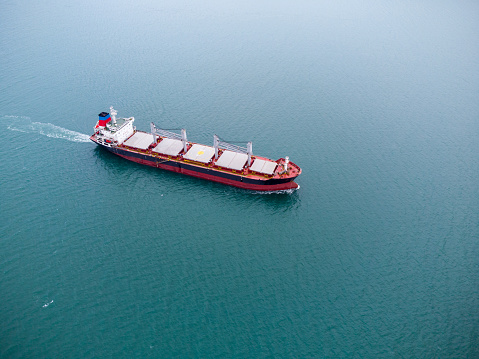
x: 24, y: 124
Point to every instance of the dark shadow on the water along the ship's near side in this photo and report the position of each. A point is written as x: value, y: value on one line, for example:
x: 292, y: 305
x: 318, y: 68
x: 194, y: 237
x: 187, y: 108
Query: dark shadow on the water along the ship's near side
x: 123, y: 169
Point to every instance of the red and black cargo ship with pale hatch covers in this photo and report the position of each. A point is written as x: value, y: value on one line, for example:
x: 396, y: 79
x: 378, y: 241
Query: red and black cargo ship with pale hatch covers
x: 224, y: 162
